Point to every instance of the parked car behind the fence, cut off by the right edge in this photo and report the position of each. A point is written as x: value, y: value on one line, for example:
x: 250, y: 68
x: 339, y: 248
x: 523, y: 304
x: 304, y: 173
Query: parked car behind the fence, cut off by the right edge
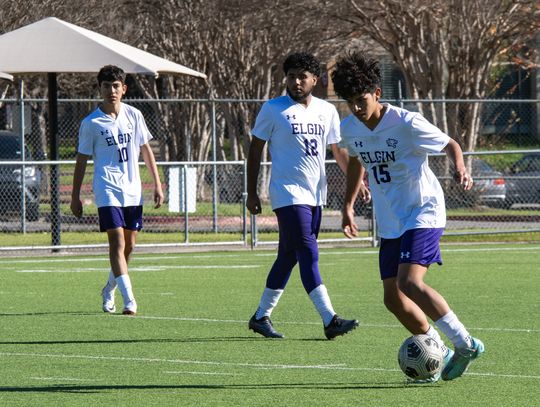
x: 521, y: 189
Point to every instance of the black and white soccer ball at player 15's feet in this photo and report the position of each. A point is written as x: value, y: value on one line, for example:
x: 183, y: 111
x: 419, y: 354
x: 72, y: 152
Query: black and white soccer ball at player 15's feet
x: 420, y: 357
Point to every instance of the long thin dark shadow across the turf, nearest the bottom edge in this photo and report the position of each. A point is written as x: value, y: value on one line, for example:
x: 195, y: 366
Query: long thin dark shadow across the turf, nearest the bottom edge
x: 266, y: 386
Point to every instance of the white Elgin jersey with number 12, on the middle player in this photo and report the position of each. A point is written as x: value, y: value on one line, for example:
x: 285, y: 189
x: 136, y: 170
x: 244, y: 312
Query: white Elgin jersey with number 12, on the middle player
x: 297, y: 139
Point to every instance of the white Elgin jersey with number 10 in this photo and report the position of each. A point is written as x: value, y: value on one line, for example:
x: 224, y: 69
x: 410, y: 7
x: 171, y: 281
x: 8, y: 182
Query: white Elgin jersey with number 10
x: 115, y: 146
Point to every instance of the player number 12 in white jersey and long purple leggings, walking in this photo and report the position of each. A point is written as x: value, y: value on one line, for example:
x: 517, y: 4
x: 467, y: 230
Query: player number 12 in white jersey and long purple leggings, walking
x: 298, y: 127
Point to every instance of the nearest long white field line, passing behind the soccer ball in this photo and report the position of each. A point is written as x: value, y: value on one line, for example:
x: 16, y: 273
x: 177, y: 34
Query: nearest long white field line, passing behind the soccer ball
x: 339, y: 367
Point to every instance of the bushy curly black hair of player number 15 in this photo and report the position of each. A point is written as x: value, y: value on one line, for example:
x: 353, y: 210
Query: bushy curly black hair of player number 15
x: 356, y: 74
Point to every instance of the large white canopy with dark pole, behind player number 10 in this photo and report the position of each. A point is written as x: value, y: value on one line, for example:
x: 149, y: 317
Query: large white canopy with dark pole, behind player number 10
x: 52, y: 46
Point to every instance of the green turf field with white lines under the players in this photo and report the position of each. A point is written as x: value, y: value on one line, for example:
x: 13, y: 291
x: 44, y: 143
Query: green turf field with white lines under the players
x: 189, y: 344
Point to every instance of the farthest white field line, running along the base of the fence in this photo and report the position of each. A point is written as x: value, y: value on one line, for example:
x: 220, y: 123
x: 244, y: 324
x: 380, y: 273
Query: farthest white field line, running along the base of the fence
x: 143, y: 257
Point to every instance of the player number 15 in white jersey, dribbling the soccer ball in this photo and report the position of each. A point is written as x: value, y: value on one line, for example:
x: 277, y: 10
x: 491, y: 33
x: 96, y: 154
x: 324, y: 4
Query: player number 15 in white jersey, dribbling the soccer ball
x: 393, y: 145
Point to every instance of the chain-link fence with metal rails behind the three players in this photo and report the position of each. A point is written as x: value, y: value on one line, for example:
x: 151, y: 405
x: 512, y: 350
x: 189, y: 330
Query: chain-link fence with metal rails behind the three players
x: 205, y: 197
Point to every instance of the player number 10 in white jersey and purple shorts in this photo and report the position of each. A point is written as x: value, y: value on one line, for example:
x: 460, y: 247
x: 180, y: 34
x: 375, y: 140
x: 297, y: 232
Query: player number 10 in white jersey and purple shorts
x: 114, y: 135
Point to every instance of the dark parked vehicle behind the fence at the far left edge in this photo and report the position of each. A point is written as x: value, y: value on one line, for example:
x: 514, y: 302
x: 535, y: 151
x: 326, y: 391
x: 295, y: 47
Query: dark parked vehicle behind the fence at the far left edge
x: 11, y: 180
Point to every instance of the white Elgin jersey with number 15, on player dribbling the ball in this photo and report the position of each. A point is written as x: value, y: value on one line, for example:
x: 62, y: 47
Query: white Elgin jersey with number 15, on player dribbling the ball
x: 406, y: 194
